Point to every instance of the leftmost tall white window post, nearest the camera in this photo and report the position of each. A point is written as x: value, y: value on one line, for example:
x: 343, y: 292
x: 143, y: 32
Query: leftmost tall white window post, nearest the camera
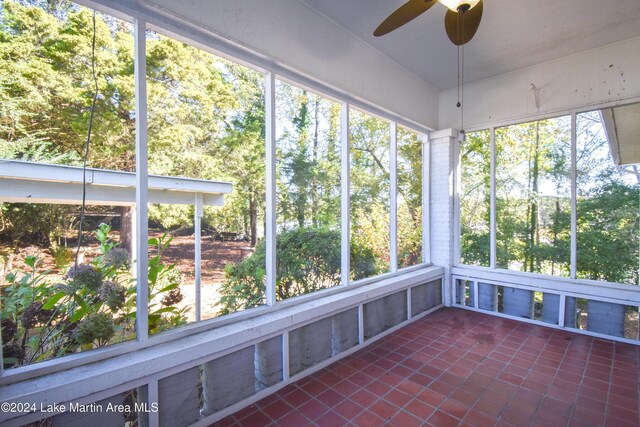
x: 142, y: 180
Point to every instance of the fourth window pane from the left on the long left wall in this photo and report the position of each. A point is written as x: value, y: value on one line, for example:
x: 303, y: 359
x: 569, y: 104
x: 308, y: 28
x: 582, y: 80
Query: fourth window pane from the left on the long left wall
x: 370, y: 197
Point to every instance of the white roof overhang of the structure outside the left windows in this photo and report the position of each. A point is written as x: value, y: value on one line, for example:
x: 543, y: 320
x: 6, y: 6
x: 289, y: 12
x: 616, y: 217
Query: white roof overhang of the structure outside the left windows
x: 27, y: 182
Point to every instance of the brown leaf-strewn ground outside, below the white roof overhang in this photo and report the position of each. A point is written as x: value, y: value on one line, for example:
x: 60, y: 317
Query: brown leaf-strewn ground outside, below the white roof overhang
x: 215, y: 256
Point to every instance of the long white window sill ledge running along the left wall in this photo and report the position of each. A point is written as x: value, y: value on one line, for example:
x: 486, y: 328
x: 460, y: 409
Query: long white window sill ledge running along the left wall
x: 184, y: 353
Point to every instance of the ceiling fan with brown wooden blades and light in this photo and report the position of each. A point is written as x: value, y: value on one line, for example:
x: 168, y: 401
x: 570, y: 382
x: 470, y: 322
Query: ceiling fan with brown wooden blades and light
x: 461, y: 21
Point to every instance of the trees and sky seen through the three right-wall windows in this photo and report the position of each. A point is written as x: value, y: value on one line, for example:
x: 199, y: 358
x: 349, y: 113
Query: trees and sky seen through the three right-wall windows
x: 533, y: 201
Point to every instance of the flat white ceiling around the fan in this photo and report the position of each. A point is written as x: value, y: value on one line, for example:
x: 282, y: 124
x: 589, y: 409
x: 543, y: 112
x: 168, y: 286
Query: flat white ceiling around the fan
x: 513, y: 34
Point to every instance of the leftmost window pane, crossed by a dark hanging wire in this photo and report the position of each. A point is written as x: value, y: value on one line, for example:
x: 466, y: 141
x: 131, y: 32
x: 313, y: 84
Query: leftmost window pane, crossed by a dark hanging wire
x: 55, y: 300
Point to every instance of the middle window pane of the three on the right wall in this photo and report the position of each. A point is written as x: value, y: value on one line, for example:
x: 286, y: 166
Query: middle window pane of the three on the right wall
x: 533, y: 196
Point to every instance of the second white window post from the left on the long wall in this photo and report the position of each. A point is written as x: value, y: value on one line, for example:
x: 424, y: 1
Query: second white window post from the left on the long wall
x: 270, y: 140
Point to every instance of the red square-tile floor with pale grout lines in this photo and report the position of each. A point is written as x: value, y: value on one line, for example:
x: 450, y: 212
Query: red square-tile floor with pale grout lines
x: 456, y: 367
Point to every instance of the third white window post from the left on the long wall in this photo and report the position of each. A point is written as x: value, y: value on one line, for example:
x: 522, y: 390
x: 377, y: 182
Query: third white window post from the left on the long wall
x: 345, y: 188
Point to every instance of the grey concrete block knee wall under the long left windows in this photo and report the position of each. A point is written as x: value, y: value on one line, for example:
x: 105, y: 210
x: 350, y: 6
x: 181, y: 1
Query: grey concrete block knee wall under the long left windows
x: 195, y: 393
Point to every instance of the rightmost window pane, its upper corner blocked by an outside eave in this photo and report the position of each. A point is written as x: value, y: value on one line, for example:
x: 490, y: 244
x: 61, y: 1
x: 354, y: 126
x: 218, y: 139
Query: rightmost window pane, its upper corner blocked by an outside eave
x: 608, y: 210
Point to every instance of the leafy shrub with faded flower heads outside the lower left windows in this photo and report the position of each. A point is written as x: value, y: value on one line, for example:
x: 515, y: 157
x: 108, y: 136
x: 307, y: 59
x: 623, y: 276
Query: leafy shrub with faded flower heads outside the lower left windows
x: 94, y: 305
